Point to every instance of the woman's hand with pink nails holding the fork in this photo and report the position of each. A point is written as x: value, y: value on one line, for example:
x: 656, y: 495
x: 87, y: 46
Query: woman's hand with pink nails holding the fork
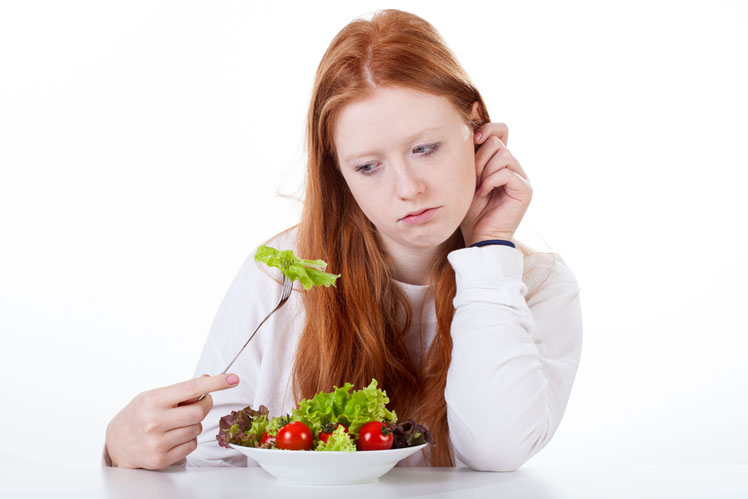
x: 160, y: 426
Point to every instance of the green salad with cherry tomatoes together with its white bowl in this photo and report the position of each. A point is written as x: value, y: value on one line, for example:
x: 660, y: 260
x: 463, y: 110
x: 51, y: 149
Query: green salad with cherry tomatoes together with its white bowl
x: 337, y: 437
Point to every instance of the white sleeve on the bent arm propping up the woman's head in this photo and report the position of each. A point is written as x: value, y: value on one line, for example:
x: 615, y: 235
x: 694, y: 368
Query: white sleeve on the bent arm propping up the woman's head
x: 513, y: 360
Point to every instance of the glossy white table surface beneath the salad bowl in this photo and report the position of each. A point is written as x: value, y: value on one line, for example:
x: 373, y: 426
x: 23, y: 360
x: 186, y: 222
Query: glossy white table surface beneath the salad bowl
x: 531, y: 482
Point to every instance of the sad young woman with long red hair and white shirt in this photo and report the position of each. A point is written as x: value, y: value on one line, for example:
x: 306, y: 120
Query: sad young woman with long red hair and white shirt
x: 413, y: 197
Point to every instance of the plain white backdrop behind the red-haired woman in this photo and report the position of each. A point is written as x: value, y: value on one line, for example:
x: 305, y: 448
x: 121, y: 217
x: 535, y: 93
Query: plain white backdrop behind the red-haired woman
x: 146, y: 148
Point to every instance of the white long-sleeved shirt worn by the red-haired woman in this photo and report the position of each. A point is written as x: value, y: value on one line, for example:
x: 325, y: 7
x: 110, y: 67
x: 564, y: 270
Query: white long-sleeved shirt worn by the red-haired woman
x: 513, y: 359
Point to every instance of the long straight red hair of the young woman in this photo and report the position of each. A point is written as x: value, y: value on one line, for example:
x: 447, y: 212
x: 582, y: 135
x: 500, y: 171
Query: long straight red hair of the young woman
x: 354, y: 332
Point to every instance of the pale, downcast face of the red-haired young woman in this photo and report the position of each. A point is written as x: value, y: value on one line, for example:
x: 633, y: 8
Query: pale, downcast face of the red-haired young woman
x: 409, y: 160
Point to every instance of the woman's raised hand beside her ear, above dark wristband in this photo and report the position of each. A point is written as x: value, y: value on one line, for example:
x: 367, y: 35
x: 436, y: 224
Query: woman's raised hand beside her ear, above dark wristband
x: 503, y: 191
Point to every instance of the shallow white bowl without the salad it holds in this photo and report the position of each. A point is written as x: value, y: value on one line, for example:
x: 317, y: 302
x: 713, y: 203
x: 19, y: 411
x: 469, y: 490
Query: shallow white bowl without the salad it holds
x: 327, y: 467
